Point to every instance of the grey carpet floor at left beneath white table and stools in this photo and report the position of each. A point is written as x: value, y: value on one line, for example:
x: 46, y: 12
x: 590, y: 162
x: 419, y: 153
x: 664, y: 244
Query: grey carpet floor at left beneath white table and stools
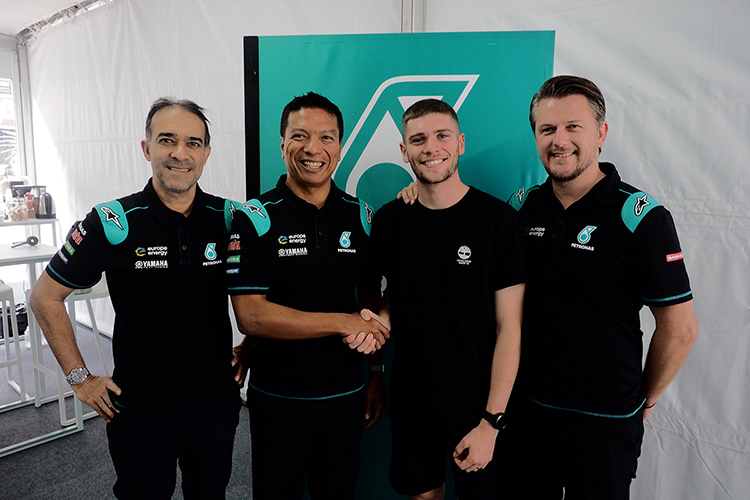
x: 76, y: 466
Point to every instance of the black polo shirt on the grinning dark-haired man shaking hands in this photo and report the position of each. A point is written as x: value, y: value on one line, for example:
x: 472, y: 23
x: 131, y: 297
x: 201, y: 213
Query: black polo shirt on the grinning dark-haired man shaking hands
x: 310, y: 260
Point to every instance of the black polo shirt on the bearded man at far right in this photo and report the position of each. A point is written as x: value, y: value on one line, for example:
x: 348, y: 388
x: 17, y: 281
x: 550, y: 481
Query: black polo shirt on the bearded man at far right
x: 592, y: 268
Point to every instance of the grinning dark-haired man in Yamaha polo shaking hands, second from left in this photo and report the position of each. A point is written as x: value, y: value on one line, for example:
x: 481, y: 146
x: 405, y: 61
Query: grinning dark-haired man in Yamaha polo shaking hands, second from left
x: 298, y: 255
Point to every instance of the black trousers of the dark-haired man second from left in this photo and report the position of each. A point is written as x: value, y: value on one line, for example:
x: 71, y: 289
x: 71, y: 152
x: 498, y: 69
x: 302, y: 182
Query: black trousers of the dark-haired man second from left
x: 294, y: 440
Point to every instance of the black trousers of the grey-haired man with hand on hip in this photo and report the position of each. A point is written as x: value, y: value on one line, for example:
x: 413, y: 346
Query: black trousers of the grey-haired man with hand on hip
x: 147, y: 446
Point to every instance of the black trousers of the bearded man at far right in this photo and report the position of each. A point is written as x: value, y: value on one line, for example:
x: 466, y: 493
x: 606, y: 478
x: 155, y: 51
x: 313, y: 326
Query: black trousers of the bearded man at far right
x: 590, y: 457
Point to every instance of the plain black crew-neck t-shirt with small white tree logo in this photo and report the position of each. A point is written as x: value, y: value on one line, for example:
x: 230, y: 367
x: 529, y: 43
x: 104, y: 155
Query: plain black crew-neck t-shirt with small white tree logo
x: 443, y: 268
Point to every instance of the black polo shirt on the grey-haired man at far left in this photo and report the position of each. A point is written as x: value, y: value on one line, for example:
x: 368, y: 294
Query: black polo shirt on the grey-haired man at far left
x: 172, y: 339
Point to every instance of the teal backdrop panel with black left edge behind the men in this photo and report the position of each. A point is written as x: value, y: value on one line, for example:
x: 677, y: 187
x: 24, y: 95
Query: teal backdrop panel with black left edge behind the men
x: 488, y: 77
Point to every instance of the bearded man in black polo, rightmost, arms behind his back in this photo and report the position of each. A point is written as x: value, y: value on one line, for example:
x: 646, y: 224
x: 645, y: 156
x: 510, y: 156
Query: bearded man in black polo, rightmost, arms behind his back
x: 597, y: 251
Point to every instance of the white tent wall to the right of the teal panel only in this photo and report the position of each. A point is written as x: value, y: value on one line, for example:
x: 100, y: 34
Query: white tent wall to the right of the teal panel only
x: 675, y: 75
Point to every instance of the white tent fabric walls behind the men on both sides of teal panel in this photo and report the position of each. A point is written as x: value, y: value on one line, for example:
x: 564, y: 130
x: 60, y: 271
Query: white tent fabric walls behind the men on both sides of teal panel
x: 675, y: 74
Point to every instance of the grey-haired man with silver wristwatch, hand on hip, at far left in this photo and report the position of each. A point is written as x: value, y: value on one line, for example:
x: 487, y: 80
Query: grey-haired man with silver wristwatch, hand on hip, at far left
x: 173, y: 397
